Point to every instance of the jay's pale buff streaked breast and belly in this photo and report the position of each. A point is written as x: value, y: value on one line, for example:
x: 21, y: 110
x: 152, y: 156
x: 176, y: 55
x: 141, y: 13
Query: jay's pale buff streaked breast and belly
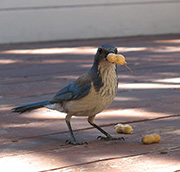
x: 95, y: 101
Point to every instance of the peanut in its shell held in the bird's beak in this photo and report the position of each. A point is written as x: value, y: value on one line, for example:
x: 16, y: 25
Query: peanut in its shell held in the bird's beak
x: 116, y: 58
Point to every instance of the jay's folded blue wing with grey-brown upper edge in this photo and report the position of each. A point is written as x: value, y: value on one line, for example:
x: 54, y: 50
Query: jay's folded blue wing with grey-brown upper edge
x: 73, y: 91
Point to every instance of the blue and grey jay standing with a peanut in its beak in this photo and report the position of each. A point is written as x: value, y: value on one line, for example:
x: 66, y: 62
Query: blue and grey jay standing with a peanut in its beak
x: 88, y: 95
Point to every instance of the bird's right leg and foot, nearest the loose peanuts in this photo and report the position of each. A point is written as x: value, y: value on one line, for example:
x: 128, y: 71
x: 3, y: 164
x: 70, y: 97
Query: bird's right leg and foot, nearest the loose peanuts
x: 108, y: 136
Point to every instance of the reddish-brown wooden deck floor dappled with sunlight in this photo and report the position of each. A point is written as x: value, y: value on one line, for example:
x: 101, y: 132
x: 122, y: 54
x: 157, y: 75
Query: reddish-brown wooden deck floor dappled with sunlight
x: 148, y: 99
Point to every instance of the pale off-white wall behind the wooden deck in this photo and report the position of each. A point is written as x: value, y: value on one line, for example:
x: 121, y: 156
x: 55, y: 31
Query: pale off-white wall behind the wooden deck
x: 44, y: 20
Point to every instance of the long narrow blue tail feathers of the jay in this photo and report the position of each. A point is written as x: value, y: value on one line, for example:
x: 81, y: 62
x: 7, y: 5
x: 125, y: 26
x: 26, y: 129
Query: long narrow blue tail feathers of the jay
x: 30, y: 106
